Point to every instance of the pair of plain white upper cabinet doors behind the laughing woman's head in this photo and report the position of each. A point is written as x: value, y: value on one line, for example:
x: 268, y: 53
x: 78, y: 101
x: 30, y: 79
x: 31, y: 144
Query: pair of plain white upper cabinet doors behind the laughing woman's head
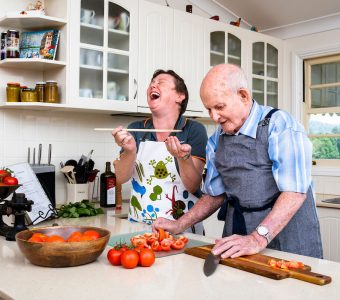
x: 170, y: 39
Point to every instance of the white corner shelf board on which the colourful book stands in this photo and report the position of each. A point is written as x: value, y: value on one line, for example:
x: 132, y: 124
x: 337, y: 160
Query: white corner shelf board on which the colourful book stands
x: 36, y: 64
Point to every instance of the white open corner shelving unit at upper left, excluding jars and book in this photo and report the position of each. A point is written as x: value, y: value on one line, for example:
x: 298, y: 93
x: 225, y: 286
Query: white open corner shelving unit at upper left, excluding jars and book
x: 28, y: 71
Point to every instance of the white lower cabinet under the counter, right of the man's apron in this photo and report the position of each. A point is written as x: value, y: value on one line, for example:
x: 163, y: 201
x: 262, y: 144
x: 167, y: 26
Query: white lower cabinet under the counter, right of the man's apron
x: 330, y: 232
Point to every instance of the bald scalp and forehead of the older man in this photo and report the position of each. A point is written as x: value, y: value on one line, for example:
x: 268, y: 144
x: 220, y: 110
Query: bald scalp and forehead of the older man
x: 223, y: 78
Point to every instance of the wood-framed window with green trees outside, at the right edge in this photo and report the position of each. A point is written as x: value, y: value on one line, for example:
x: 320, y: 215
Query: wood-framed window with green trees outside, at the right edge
x: 322, y: 108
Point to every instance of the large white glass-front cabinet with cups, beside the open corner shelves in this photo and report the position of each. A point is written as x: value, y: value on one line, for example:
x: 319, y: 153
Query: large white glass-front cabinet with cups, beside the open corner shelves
x: 105, y: 73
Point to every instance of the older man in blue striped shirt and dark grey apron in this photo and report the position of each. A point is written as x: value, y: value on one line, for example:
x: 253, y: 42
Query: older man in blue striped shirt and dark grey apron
x: 259, y: 158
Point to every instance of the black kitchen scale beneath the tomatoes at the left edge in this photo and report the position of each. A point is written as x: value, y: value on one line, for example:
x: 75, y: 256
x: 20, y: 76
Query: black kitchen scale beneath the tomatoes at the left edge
x: 17, y: 207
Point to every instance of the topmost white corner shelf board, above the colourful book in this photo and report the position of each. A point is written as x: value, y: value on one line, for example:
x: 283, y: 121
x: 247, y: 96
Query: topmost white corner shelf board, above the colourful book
x: 30, y: 21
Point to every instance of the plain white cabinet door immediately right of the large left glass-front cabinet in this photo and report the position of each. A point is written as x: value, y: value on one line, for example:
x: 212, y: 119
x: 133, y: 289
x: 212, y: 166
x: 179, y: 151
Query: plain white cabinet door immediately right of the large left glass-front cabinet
x: 155, y: 46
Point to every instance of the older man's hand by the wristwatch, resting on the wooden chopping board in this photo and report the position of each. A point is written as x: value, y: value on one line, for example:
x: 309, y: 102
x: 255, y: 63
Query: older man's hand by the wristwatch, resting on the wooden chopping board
x: 238, y: 245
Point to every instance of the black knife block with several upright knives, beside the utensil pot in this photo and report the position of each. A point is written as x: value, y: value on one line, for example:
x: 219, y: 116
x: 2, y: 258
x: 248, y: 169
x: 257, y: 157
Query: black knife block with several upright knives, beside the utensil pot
x: 45, y: 173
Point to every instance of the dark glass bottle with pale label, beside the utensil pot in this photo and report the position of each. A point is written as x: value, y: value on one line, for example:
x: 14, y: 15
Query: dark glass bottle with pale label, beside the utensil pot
x: 108, y: 187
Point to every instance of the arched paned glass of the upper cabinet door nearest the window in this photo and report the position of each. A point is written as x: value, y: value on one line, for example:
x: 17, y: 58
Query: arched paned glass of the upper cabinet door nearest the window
x: 265, y: 73
